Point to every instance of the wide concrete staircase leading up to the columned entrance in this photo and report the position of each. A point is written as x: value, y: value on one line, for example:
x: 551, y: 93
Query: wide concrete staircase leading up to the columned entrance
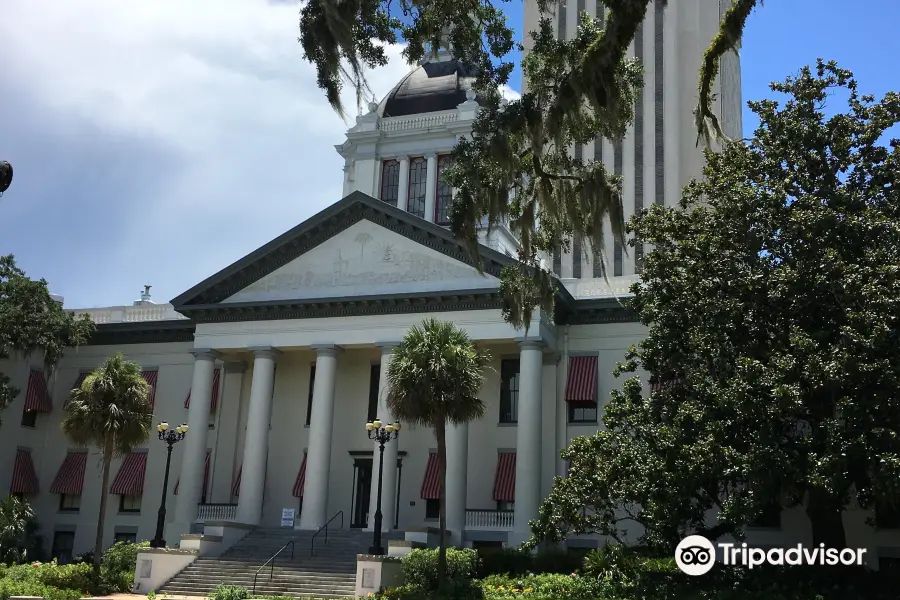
x: 329, y: 573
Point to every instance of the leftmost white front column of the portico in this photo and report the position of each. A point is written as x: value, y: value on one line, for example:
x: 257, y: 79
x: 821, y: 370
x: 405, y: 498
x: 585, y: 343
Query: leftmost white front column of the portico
x: 193, y: 447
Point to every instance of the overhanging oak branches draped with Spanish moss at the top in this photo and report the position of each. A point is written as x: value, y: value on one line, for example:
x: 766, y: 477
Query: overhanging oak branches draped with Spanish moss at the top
x: 516, y: 165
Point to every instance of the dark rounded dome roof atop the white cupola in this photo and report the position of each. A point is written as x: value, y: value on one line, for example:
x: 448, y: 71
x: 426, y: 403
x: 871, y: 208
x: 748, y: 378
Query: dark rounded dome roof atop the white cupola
x: 433, y: 86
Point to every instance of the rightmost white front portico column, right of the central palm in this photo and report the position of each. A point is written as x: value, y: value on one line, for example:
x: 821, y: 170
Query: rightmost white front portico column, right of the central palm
x: 528, y: 440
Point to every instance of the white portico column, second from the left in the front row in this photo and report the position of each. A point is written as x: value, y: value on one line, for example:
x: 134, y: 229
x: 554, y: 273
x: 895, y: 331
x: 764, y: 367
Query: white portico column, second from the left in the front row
x: 256, y: 441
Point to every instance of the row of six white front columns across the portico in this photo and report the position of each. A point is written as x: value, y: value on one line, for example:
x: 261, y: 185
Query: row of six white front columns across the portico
x: 318, y: 465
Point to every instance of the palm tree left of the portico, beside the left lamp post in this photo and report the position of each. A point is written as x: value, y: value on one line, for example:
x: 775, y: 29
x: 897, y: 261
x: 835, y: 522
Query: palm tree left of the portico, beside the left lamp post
x: 111, y: 411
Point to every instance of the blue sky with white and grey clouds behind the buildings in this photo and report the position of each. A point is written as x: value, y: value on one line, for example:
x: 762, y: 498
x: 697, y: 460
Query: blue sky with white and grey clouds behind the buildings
x: 157, y: 141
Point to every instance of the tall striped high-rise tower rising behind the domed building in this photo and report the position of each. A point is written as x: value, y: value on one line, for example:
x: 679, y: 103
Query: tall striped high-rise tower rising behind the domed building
x: 659, y: 154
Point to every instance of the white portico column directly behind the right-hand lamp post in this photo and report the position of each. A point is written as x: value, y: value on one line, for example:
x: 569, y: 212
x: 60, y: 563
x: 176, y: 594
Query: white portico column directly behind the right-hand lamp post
x: 389, y: 481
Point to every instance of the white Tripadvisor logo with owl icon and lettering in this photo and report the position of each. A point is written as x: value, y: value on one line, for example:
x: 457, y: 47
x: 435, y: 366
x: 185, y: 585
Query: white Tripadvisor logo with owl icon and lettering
x: 696, y: 555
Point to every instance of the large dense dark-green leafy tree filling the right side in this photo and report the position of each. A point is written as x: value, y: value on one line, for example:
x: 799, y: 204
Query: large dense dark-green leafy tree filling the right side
x: 770, y: 298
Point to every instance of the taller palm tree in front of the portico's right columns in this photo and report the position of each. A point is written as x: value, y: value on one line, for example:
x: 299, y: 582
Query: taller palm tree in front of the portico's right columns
x: 434, y: 379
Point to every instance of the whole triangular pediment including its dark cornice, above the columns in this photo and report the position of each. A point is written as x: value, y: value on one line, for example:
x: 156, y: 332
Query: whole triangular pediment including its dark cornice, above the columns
x: 357, y: 249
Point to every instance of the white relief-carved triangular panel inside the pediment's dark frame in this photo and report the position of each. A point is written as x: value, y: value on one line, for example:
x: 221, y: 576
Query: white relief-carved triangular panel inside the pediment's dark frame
x: 365, y: 259
